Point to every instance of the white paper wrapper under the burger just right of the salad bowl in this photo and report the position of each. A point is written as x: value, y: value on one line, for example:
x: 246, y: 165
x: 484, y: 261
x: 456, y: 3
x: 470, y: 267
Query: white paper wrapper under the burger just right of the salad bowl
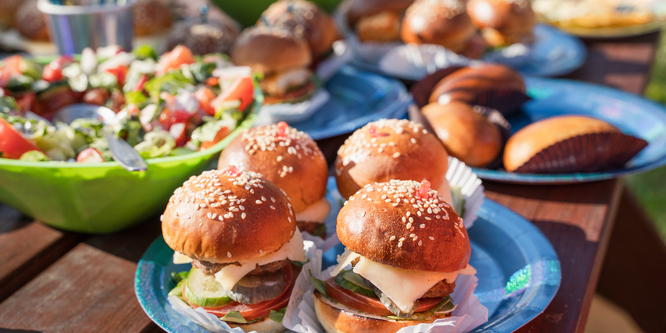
x: 292, y: 112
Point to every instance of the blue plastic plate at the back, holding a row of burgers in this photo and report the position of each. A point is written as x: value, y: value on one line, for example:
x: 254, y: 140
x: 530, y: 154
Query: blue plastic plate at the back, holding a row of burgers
x: 554, y: 53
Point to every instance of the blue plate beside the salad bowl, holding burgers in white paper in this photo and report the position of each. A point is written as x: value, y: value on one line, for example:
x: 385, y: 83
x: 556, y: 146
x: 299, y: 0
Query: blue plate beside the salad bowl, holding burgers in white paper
x: 357, y: 98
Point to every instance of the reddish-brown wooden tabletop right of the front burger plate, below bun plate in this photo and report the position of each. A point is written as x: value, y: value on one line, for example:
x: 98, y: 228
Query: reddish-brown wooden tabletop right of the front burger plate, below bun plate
x: 576, y: 220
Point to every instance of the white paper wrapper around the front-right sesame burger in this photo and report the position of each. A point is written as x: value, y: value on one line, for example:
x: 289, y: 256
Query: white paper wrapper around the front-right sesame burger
x: 469, y: 313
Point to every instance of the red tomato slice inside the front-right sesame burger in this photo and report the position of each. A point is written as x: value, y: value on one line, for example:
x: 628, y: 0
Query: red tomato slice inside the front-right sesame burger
x: 367, y: 304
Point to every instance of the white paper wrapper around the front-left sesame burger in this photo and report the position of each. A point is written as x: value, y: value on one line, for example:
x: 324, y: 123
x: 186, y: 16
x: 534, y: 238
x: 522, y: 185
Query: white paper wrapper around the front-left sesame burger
x: 213, y: 324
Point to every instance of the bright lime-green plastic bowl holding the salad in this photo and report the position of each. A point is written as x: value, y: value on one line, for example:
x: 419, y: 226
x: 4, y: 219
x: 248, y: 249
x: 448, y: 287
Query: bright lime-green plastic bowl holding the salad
x: 103, y: 198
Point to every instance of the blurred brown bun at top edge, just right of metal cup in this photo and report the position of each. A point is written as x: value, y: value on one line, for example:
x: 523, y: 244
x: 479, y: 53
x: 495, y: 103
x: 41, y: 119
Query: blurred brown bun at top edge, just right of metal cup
x: 151, y: 17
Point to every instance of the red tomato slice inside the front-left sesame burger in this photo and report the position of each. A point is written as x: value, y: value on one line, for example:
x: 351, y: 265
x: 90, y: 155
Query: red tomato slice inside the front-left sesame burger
x: 261, y: 309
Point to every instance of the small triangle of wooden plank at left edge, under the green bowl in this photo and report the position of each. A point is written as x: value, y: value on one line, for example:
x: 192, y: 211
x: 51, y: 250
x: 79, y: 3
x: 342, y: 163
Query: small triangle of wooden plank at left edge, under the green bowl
x: 27, y: 248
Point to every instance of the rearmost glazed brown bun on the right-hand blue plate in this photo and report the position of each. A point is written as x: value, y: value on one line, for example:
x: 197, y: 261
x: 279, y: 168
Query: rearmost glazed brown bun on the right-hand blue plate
x: 466, y: 84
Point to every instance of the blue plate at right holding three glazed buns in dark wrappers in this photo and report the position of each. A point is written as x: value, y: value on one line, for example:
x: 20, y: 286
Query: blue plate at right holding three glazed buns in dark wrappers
x: 630, y: 113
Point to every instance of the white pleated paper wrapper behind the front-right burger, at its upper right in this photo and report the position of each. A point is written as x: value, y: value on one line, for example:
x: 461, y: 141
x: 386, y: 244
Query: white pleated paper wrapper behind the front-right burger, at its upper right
x: 461, y: 176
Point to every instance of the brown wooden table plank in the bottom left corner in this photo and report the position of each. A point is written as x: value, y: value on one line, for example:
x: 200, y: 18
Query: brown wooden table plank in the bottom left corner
x: 87, y: 290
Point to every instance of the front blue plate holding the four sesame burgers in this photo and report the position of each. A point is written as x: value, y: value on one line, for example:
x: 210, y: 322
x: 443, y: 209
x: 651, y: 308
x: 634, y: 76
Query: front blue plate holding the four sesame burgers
x: 518, y: 271
